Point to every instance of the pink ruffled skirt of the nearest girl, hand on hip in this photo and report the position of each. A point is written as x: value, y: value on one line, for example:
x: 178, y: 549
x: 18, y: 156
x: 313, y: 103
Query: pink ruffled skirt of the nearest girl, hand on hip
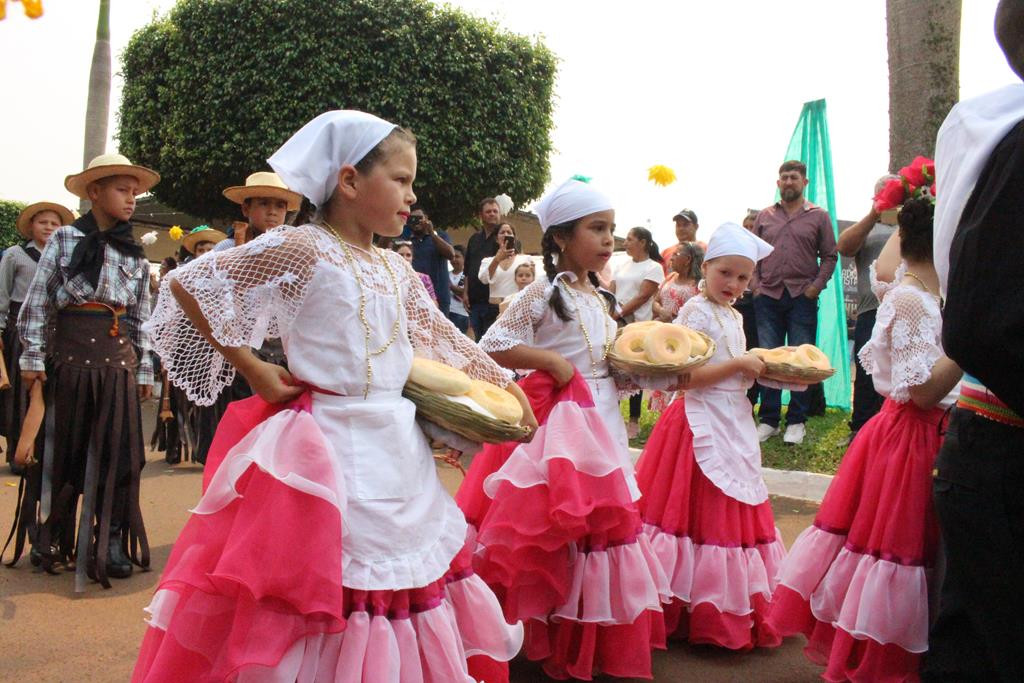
x: 254, y: 591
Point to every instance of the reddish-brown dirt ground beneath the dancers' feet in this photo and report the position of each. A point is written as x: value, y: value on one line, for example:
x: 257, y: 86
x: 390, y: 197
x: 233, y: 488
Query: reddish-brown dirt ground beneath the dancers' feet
x: 48, y: 634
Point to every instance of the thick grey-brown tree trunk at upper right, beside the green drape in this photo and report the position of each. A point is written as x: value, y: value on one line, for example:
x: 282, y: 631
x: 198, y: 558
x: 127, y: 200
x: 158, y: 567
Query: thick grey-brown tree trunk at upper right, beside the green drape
x: 924, y: 74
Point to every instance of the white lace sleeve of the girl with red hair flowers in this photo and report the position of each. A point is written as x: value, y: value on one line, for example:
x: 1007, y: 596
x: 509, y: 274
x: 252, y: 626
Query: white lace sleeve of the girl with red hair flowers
x: 914, y: 340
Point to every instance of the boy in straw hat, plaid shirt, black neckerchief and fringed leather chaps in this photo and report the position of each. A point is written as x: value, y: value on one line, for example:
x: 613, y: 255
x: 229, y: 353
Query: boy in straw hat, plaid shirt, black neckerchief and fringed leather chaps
x: 93, y: 285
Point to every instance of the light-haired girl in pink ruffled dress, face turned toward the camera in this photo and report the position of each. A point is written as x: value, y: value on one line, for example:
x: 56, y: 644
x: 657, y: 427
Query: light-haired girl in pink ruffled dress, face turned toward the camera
x: 705, y: 505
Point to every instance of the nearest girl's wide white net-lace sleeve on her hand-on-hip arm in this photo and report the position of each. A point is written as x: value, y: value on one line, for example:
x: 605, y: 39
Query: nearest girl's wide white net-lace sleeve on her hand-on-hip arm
x: 247, y: 294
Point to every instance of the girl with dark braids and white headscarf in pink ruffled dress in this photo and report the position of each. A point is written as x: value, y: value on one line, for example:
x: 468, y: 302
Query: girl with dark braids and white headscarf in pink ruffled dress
x: 559, y: 528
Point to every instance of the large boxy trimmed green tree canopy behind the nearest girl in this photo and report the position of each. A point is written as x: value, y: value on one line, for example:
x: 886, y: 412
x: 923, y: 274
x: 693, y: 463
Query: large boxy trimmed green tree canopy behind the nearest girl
x: 214, y: 89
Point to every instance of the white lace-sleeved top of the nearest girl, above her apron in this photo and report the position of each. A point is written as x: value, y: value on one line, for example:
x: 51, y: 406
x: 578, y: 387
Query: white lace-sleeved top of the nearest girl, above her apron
x: 295, y: 283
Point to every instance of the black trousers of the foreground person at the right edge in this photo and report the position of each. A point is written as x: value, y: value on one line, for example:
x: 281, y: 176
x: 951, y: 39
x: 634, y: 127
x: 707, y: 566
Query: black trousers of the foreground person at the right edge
x: 979, y: 498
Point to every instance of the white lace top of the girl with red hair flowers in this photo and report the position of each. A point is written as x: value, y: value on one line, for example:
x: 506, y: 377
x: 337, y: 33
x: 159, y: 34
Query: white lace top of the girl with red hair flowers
x: 906, y: 343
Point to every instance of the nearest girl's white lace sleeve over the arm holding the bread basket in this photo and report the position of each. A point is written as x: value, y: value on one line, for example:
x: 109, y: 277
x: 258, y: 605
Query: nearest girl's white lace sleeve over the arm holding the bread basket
x: 436, y: 337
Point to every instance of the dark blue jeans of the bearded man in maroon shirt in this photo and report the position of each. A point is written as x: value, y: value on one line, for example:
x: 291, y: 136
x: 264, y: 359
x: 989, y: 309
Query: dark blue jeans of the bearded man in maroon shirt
x: 792, y: 321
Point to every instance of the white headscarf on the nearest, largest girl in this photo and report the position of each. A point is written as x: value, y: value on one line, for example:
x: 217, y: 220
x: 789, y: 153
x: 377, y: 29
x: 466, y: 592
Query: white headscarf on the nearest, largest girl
x: 311, y: 160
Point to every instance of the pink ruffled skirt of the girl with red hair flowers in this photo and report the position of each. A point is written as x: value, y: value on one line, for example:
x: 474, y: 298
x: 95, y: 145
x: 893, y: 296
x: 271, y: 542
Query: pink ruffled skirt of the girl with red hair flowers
x: 857, y: 583
